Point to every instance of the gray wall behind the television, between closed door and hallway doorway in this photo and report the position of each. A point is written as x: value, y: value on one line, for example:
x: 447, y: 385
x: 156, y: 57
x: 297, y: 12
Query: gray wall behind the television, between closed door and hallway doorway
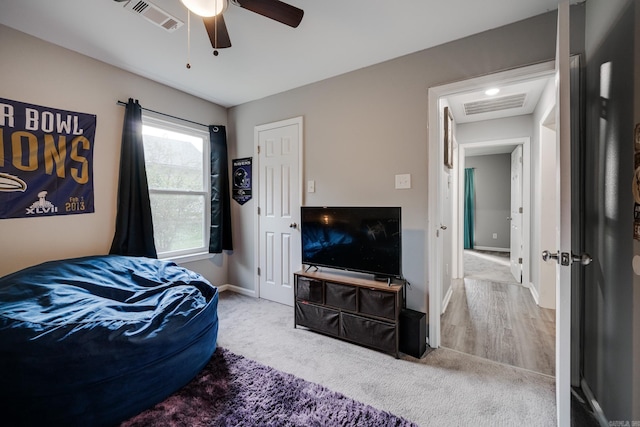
x: 362, y: 128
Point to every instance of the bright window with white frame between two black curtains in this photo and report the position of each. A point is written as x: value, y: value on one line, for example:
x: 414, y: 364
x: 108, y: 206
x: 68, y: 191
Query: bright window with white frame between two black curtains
x: 176, y: 159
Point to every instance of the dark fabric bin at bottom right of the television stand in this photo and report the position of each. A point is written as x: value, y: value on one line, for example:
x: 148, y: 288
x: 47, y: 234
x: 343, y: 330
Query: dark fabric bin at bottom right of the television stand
x: 369, y: 332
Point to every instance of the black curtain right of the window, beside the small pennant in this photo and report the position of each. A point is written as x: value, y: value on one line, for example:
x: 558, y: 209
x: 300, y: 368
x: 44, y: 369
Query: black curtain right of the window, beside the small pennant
x: 220, y: 233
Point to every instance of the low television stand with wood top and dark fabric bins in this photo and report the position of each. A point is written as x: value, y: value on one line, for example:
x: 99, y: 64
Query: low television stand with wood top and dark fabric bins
x: 349, y: 307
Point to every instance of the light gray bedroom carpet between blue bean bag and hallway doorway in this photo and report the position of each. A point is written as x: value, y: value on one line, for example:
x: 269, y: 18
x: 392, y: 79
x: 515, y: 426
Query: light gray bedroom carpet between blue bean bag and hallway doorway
x: 444, y: 387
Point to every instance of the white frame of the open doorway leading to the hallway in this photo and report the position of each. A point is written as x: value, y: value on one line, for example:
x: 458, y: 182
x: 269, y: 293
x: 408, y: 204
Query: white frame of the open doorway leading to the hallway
x: 435, y: 155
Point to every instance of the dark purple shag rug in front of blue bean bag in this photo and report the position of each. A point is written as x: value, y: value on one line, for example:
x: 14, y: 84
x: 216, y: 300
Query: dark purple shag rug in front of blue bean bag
x: 234, y: 391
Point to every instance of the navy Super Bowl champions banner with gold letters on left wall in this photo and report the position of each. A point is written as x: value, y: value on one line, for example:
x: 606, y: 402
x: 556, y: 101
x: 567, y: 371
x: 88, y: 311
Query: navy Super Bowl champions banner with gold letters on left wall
x: 46, y: 161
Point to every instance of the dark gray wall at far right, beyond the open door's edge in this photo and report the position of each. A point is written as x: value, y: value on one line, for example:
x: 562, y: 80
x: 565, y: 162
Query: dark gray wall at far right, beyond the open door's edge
x: 611, y: 299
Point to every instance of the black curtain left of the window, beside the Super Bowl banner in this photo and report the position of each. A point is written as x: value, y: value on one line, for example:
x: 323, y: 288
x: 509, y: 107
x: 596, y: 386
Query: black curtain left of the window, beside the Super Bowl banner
x: 134, y: 227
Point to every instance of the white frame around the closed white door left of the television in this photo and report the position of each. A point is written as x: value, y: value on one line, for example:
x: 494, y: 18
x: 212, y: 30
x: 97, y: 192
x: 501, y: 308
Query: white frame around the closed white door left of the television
x: 256, y: 181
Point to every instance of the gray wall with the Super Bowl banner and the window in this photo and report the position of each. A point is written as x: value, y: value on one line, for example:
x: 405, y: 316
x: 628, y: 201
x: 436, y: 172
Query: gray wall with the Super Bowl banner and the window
x: 44, y: 74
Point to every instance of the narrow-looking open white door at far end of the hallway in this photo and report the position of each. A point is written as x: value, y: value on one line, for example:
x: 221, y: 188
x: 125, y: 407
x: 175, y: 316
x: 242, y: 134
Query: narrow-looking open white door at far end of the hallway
x: 516, y: 213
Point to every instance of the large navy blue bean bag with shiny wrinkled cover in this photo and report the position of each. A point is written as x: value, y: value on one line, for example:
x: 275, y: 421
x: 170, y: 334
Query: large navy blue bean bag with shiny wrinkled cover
x: 93, y: 341
